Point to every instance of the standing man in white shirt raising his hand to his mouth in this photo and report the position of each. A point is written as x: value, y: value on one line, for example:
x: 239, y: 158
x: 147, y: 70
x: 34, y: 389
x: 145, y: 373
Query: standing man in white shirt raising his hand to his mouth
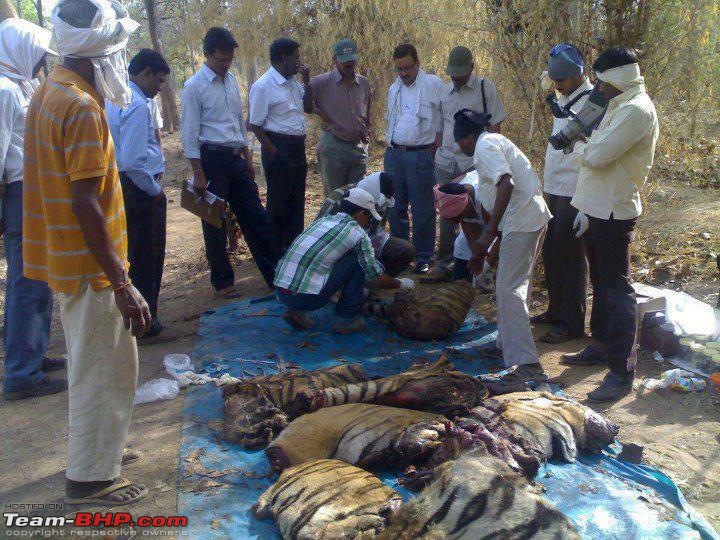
x: 278, y: 103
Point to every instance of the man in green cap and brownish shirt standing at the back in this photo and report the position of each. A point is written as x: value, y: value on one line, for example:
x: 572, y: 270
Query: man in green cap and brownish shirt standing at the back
x: 342, y: 101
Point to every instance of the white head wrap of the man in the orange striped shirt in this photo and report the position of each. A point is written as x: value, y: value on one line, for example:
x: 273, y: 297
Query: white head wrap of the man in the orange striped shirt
x: 103, y: 43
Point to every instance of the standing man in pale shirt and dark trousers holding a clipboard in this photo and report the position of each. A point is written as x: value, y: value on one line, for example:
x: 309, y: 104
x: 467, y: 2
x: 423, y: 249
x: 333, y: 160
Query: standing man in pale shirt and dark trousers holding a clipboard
x: 214, y: 138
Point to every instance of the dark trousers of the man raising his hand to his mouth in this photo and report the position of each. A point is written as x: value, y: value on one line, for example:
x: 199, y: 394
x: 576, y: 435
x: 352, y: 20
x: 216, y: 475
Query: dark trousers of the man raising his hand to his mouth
x: 286, y: 173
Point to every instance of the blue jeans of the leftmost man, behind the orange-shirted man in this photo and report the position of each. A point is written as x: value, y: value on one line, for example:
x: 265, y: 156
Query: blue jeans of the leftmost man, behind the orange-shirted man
x: 28, y: 305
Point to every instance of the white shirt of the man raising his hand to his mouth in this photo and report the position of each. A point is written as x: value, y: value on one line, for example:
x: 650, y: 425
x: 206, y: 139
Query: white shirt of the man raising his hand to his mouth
x: 276, y: 104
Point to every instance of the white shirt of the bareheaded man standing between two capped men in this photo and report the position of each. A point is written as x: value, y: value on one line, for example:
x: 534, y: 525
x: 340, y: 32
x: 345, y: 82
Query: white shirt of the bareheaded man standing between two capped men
x: 413, y: 115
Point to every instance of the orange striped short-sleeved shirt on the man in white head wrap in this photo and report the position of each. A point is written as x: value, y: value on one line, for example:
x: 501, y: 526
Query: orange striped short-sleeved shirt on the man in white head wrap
x: 67, y: 139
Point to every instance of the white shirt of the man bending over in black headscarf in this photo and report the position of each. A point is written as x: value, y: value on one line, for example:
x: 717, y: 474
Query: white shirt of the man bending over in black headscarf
x: 496, y: 156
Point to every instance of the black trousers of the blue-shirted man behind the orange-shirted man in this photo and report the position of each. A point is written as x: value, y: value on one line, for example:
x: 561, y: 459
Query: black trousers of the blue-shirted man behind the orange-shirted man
x: 146, y: 224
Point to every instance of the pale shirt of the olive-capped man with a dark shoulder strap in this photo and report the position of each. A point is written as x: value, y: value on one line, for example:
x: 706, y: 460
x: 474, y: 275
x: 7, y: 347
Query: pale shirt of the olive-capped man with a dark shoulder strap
x: 468, y: 97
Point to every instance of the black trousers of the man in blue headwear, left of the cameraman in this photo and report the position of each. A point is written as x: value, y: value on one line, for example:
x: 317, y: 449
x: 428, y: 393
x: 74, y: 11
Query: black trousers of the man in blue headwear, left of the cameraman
x: 566, y: 269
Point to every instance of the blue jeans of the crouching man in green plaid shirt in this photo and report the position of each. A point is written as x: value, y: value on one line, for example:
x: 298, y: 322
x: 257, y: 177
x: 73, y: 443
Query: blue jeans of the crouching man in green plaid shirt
x: 347, y: 275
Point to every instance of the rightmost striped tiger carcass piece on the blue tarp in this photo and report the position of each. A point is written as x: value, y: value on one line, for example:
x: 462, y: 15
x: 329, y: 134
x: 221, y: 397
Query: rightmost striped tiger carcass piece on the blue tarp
x: 558, y: 425
